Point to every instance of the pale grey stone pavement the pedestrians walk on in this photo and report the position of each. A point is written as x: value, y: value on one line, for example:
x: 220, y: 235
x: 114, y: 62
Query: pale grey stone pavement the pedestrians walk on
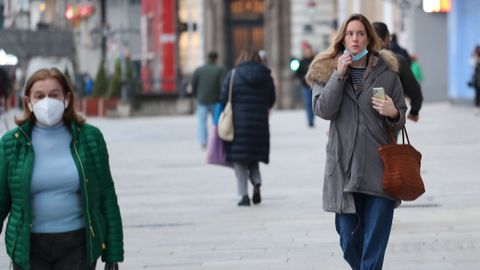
x: 180, y: 213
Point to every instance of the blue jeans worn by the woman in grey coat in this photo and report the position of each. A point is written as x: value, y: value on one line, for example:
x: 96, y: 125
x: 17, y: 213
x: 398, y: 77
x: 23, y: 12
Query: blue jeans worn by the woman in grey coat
x: 364, y: 235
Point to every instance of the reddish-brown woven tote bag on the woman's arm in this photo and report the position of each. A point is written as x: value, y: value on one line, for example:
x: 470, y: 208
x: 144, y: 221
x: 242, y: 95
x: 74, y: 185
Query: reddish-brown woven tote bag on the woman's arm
x: 401, y: 174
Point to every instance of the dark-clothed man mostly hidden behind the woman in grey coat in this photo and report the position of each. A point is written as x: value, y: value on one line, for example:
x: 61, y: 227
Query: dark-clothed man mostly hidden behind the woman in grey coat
x: 411, y: 88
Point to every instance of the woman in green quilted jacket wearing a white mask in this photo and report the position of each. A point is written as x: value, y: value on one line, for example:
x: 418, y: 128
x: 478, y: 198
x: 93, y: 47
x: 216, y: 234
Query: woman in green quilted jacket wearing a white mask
x: 55, y: 184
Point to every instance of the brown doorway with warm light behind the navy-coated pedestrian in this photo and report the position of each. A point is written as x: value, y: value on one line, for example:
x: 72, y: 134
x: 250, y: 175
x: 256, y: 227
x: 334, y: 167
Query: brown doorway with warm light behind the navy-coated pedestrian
x: 244, y: 26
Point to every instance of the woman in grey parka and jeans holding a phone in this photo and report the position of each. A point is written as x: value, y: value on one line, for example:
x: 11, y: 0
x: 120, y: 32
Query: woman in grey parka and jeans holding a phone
x: 342, y: 78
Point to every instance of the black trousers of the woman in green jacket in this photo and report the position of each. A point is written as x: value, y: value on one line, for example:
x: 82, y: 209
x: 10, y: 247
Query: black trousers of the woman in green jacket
x: 58, y: 251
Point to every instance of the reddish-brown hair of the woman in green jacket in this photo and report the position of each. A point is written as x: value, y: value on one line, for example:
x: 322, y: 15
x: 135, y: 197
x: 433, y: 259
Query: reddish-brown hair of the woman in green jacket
x: 69, y: 114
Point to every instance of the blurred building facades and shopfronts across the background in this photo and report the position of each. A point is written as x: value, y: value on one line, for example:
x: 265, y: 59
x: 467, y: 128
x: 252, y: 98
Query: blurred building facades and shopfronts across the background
x: 156, y: 45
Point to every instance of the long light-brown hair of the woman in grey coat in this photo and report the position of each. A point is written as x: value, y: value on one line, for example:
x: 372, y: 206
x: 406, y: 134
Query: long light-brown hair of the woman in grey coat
x: 337, y: 47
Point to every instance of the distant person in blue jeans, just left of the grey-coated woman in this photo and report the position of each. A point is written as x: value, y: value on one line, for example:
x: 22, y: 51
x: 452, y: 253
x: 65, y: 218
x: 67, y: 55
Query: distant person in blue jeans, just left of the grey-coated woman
x: 307, y: 58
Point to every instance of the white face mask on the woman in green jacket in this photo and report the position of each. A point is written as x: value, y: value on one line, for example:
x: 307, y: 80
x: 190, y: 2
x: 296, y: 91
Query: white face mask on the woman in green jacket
x: 48, y: 111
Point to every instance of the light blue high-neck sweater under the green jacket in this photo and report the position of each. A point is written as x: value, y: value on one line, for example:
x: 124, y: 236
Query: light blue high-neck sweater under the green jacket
x: 55, y: 187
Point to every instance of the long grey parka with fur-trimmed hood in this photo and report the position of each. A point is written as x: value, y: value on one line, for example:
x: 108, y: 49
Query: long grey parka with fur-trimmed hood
x: 357, y: 131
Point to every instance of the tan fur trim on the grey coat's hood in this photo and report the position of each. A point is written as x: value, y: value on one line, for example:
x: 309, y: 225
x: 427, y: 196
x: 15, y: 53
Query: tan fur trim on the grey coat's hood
x: 321, y: 69
